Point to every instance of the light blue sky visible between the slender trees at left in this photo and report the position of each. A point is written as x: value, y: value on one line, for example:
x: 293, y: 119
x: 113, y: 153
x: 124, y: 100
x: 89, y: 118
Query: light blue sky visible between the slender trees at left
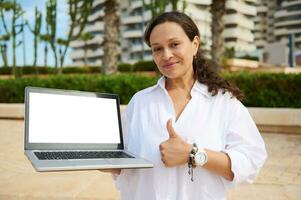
x: 29, y: 7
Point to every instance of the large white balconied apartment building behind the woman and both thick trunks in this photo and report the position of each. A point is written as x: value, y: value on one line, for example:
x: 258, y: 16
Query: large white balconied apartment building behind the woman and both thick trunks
x: 134, y: 17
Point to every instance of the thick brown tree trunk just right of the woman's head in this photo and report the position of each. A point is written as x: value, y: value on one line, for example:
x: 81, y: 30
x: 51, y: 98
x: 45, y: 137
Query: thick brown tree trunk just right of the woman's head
x: 217, y: 10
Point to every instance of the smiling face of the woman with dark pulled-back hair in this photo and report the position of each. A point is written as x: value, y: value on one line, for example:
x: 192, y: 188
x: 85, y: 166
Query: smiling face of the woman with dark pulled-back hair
x: 172, y: 50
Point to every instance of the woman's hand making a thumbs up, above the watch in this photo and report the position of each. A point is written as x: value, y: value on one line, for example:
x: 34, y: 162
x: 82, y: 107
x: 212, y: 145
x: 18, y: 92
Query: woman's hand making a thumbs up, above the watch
x: 174, y: 151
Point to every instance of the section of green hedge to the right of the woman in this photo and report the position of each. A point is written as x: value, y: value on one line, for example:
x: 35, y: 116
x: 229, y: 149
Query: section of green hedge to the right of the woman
x: 268, y: 89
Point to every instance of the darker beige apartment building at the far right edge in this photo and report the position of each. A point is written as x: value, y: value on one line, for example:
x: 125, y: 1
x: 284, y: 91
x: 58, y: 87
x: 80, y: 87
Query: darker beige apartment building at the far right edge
x: 276, y: 20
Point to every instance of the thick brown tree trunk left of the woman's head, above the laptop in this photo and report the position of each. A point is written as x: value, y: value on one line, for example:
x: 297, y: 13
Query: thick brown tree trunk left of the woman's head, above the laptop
x: 111, y: 37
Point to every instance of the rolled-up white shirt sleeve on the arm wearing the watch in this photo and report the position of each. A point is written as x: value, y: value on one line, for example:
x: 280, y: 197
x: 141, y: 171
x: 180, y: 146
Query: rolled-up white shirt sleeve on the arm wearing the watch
x: 244, y: 145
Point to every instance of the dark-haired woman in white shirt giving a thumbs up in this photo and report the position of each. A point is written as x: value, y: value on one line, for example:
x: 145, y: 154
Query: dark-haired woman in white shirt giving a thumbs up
x: 191, y: 124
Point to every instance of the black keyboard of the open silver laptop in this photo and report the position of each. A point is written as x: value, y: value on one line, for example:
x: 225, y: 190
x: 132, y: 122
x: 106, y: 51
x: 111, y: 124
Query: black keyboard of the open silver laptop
x: 65, y: 155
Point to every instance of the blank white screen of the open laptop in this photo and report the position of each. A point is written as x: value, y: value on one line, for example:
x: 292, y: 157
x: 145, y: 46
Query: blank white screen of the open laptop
x: 56, y: 118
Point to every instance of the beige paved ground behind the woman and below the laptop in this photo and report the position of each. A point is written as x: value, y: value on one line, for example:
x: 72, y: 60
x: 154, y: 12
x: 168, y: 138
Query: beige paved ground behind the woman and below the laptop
x: 280, y: 178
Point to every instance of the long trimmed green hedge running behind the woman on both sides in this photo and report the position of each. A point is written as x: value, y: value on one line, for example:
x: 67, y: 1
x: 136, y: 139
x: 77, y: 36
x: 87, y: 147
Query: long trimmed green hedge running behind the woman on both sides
x: 261, y: 89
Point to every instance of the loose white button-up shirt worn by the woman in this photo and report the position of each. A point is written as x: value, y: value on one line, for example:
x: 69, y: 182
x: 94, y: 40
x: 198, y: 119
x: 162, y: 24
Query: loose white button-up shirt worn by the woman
x: 219, y: 123
